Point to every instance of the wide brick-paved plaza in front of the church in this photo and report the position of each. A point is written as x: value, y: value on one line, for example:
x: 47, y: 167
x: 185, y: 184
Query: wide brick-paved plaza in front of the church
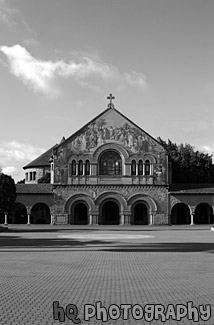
x: 73, y: 265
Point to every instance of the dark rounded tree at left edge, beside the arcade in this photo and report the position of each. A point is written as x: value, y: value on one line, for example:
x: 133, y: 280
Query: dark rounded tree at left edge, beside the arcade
x: 7, y: 193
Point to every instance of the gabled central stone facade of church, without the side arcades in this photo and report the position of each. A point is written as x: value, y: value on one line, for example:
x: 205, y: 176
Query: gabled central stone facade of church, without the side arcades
x: 110, y: 160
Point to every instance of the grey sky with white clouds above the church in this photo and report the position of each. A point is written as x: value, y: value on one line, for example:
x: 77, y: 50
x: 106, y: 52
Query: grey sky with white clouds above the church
x: 59, y: 60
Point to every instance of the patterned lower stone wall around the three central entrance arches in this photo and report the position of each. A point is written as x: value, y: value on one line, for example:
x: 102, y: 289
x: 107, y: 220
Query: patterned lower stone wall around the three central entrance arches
x: 155, y: 197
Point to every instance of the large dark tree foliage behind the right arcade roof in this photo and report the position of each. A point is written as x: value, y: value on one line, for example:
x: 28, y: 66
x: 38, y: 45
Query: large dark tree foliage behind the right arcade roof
x: 189, y: 165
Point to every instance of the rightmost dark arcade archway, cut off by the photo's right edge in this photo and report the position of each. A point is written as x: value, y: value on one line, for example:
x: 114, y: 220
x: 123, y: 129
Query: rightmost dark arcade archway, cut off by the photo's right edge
x: 203, y: 214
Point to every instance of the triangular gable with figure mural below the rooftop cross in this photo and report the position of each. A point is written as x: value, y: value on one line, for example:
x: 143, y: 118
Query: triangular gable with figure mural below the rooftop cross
x: 111, y: 127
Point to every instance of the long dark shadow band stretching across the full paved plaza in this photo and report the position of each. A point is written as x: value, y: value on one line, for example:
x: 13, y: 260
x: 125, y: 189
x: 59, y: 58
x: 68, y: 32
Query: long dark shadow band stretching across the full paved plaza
x: 15, y: 242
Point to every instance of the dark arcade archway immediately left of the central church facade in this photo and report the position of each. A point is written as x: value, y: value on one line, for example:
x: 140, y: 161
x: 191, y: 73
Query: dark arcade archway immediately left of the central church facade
x: 40, y: 214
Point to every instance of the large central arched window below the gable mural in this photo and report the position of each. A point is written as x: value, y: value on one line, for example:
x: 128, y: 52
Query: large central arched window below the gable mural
x: 110, y: 163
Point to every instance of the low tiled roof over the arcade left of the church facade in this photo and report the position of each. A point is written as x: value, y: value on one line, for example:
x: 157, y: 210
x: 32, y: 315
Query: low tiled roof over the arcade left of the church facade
x: 40, y: 188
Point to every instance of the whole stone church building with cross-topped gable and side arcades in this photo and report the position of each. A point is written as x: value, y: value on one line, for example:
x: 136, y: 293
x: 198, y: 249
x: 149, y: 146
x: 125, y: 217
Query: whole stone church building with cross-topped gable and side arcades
x: 110, y: 172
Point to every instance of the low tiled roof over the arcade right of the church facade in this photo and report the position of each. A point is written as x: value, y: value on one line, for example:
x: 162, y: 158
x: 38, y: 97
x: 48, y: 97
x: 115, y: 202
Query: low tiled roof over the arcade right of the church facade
x: 192, y: 188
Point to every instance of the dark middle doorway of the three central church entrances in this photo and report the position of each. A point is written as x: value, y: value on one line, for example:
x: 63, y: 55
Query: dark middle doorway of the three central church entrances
x: 110, y: 213
